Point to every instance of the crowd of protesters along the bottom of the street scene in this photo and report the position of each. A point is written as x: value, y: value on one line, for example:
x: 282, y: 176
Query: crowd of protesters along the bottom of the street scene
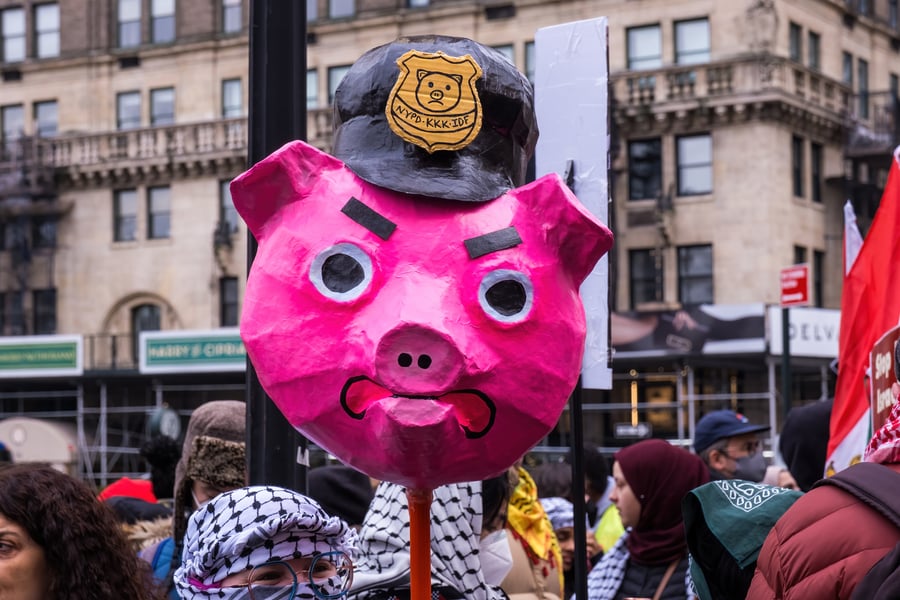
x: 663, y: 523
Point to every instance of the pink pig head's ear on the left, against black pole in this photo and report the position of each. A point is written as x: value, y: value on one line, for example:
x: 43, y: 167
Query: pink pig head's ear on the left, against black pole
x: 287, y: 175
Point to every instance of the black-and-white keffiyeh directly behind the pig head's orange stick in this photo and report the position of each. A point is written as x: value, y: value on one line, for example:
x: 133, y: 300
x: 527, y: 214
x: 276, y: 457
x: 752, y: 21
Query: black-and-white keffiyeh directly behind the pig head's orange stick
x: 456, y: 520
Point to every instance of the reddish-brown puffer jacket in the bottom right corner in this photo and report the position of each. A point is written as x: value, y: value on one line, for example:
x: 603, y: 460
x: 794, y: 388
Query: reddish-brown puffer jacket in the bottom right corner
x: 821, y: 548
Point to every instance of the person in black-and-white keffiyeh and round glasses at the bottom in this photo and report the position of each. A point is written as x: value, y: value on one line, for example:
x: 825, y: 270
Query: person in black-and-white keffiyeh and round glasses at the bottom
x: 265, y: 542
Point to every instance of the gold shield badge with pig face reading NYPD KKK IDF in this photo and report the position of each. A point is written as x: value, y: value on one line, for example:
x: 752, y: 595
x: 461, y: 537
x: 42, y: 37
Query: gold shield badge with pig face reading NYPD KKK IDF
x: 434, y: 103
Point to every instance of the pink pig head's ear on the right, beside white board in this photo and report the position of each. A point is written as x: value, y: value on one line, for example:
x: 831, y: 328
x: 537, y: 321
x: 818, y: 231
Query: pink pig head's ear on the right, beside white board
x: 582, y: 239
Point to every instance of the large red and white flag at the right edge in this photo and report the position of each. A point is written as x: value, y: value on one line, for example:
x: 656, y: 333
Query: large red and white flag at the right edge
x: 870, y: 306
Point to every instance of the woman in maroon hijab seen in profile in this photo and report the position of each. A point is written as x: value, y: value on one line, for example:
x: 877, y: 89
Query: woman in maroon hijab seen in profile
x: 650, y: 559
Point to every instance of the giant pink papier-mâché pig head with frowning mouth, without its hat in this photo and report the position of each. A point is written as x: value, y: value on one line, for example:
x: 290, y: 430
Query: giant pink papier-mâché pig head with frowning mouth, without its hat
x: 421, y: 340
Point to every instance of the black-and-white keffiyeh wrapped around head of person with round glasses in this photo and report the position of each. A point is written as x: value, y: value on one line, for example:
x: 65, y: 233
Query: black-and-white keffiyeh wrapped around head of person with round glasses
x: 247, y: 527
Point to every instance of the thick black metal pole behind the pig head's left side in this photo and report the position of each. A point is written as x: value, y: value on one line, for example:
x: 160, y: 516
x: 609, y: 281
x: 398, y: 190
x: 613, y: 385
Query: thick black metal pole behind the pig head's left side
x: 277, y: 116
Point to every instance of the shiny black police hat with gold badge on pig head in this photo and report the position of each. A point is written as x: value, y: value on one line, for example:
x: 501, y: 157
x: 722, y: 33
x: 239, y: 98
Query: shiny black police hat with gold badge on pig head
x: 395, y: 128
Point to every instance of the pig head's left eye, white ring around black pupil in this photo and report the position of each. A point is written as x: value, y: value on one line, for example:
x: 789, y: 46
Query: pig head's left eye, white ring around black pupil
x: 342, y: 272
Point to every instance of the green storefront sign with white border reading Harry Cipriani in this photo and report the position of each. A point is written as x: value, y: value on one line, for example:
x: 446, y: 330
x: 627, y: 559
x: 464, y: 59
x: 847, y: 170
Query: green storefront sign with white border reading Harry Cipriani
x: 192, y: 352
